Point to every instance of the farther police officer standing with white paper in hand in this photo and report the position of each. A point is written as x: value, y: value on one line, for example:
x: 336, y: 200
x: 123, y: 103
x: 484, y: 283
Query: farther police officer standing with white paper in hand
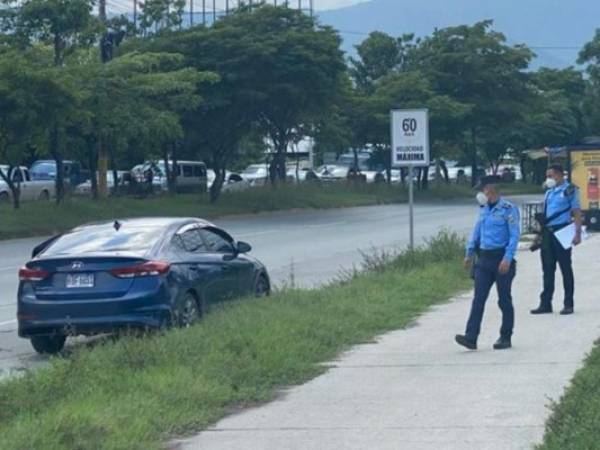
x: 561, y: 208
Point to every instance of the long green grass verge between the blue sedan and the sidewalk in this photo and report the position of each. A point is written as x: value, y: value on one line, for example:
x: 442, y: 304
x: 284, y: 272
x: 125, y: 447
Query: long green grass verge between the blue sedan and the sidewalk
x: 139, y: 392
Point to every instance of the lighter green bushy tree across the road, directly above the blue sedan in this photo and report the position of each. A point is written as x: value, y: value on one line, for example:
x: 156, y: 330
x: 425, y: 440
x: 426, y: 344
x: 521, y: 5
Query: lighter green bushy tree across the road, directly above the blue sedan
x: 140, y: 96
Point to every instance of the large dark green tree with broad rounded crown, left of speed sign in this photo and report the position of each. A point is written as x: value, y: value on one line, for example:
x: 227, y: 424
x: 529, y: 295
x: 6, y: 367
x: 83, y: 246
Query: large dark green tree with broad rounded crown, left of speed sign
x: 289, y: 65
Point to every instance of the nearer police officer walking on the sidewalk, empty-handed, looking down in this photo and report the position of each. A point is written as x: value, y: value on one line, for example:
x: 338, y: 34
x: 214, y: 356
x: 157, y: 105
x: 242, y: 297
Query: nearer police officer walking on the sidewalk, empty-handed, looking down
x: 495, y: 240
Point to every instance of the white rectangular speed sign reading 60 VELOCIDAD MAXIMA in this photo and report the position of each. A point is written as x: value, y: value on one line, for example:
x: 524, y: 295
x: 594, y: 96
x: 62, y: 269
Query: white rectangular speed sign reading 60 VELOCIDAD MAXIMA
x: 410, y: 138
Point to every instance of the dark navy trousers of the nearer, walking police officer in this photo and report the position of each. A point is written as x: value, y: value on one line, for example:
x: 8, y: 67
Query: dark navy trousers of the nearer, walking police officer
x: 486, y: 274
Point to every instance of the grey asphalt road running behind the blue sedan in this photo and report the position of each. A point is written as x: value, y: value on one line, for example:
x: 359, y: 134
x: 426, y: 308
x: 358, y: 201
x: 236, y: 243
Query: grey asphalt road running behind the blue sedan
x: 308, y: 247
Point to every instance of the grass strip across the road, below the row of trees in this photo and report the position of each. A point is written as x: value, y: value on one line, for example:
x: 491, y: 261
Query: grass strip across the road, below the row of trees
x: 39, y: 219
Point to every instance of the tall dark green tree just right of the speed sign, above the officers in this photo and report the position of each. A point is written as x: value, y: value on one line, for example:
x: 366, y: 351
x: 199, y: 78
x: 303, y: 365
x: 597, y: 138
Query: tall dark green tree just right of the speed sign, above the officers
x: 474, y: 66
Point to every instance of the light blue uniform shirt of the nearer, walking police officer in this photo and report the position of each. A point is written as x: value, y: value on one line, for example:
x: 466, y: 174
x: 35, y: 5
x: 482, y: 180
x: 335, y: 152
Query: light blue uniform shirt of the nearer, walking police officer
x: 497, y: 228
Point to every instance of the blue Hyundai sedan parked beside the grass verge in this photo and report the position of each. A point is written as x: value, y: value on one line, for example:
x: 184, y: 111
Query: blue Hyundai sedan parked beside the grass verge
x: 138, y: 273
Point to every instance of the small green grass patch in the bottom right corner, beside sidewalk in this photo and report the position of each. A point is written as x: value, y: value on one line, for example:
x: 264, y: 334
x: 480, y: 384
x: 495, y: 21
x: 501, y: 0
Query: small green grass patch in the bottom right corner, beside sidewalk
x: 575, y: 420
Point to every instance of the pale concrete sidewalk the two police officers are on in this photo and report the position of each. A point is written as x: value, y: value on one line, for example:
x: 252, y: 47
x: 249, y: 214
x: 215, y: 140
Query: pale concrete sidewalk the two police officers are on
x: 416, y: 389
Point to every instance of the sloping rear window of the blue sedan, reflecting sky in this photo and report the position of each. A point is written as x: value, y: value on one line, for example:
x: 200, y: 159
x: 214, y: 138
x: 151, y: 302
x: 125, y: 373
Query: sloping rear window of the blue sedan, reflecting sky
x: 105, y: 239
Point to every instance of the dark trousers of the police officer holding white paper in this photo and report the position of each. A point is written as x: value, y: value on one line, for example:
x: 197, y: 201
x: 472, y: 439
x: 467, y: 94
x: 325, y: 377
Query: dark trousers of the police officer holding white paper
x: 553, y: 252
